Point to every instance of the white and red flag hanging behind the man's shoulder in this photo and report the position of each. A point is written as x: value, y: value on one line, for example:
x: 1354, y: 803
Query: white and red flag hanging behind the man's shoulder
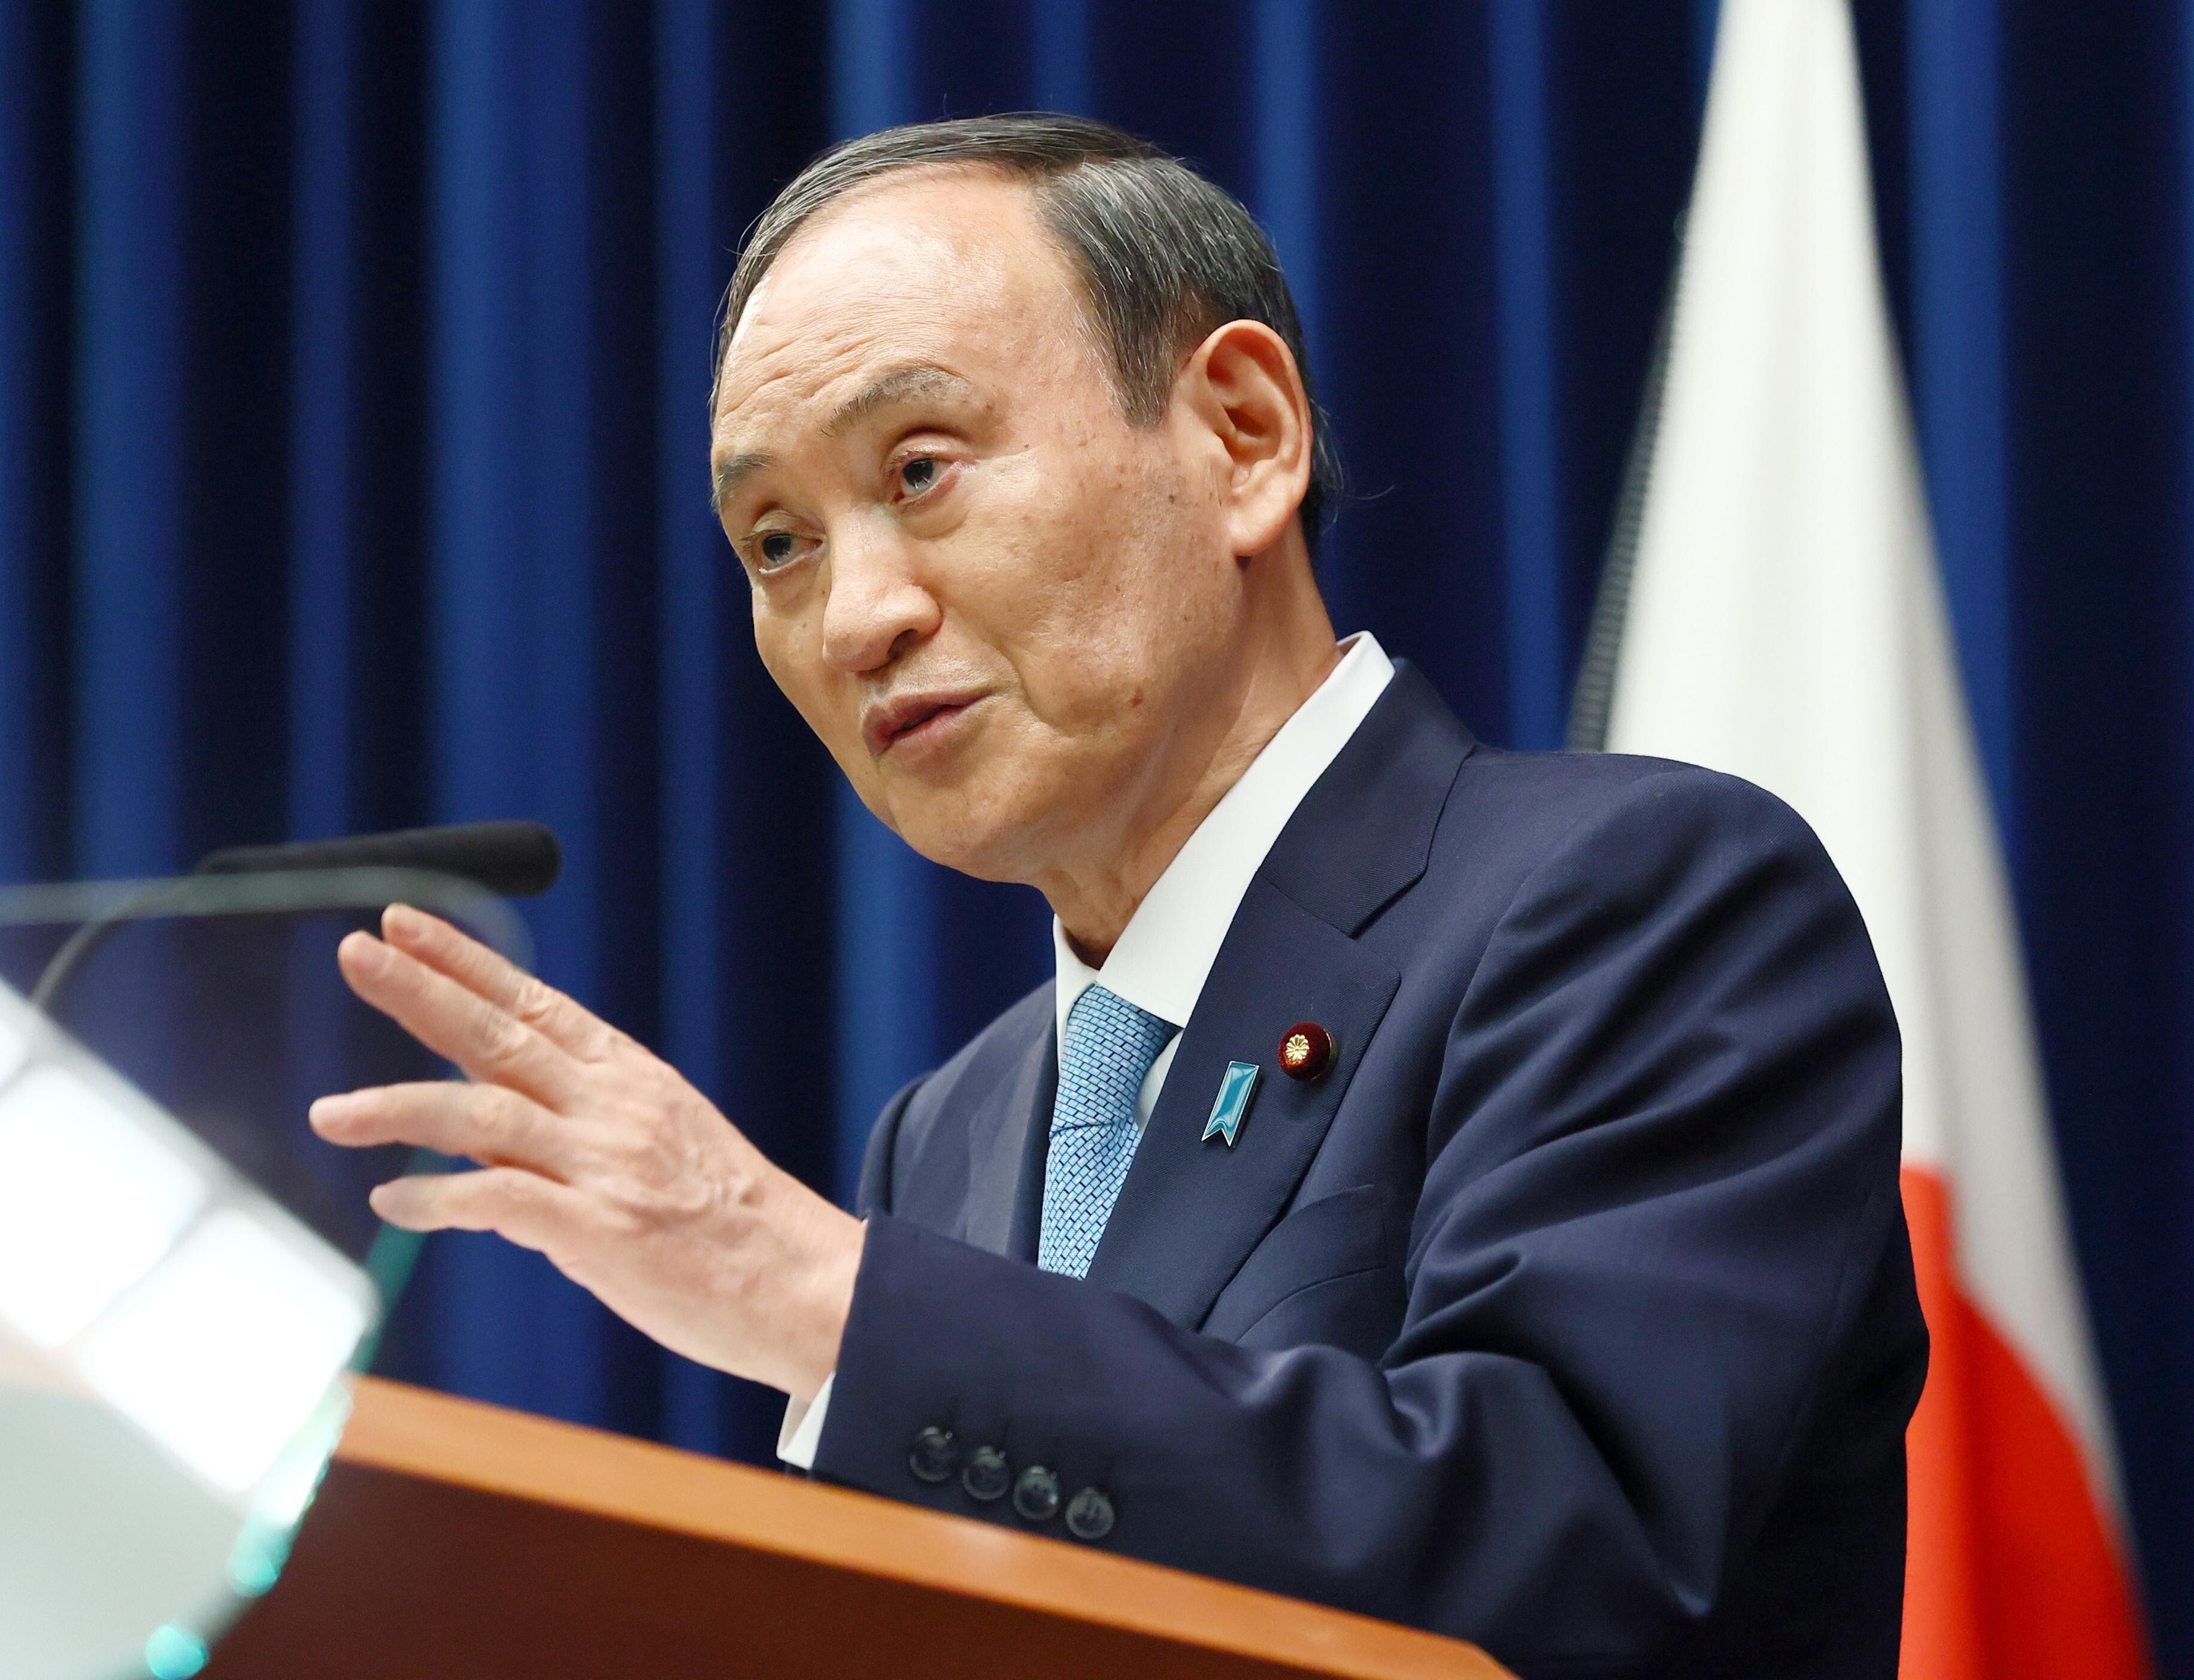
x: 1787, y: 624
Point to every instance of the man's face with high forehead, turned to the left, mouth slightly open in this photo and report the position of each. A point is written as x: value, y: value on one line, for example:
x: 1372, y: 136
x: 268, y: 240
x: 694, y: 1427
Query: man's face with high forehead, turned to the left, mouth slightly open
x: 1006, y: 611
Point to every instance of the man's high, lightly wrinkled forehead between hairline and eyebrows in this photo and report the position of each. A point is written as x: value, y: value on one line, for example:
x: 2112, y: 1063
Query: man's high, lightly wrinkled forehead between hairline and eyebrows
x: 942, y: 266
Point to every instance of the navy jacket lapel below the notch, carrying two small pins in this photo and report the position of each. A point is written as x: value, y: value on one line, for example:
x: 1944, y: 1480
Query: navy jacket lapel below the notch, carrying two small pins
x: 1190, y: 1210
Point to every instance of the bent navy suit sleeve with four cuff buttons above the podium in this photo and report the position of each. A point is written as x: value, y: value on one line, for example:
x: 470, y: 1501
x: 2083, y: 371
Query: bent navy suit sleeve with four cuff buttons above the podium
x: 1660, y: 1196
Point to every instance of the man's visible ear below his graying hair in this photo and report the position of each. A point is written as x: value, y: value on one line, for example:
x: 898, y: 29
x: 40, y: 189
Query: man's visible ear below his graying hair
x: 1243, y: 389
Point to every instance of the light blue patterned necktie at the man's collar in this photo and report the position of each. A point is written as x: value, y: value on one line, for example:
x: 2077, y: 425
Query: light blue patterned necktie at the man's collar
x: 1105, y: 1060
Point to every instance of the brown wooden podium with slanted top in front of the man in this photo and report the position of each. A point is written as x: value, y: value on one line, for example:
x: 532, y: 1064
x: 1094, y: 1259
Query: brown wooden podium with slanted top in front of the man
x: 466, y: 1543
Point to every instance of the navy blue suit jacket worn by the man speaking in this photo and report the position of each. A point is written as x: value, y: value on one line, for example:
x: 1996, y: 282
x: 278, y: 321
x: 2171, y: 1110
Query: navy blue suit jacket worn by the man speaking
x: 1570, y: 1313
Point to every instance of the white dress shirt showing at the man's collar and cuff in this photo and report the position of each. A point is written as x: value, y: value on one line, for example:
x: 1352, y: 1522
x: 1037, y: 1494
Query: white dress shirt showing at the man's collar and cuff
x: 1175, y: 935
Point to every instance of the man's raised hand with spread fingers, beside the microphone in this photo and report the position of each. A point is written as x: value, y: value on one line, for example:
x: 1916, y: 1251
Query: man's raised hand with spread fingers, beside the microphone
x: 602, y: 1157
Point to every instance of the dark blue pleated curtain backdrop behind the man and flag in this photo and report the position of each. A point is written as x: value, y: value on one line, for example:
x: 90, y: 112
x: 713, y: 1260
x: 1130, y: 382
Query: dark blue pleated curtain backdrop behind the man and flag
x: 352, y: 475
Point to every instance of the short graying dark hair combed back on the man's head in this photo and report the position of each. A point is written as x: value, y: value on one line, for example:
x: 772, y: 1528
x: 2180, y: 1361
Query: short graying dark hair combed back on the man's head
x: 1162, y: 253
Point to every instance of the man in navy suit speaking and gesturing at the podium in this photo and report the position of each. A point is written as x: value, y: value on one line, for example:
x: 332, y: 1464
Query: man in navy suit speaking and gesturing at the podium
x: 1445, y: 1183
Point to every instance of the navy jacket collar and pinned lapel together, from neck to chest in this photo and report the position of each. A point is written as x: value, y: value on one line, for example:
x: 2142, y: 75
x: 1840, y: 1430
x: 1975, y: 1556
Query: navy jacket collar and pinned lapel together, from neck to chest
x: 1192, y: 1212
